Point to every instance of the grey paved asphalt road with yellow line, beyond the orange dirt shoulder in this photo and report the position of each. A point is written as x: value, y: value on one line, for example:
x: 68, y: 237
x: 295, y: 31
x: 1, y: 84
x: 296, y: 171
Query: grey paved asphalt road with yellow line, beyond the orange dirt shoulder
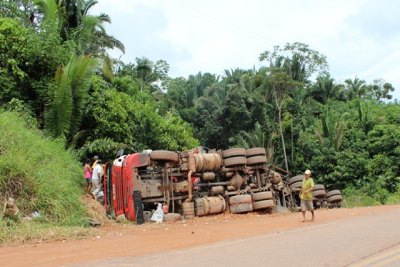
x: 362, y: 241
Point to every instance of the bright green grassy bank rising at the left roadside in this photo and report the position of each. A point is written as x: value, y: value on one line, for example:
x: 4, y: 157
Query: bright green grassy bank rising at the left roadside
x: 40, y: 175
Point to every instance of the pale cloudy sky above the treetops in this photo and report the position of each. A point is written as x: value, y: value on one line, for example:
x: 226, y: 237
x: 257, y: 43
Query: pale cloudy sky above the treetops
x: 360, y: 38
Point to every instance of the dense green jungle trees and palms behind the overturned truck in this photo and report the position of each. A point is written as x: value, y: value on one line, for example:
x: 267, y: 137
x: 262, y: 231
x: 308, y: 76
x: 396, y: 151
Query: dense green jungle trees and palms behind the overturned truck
x: 54, y: 67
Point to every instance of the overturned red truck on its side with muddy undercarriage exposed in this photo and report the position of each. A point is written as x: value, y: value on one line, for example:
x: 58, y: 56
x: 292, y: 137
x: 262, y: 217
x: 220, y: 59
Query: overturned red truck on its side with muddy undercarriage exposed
x: 194, y: 183
